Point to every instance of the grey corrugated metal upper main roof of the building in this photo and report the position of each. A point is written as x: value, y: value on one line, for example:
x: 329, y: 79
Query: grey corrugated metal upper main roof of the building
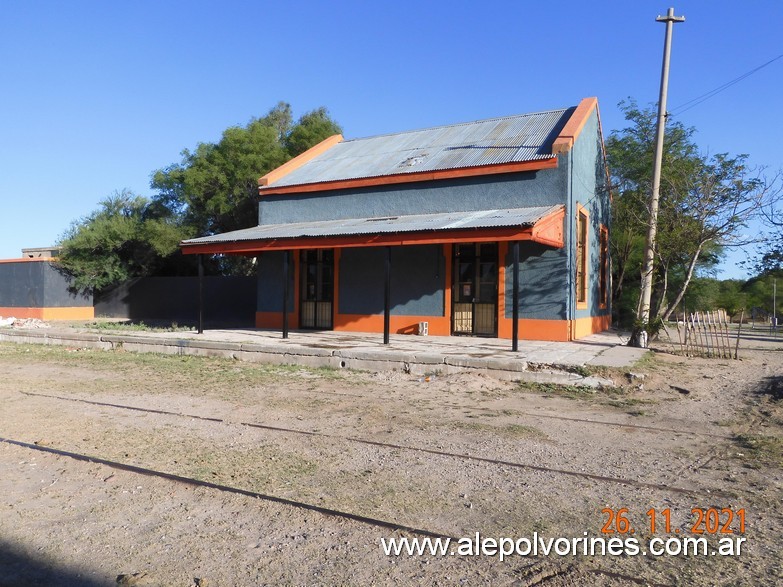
x: 512, y: 139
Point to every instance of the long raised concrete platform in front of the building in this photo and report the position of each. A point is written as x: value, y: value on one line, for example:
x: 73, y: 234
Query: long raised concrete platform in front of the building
x: 555, y: 362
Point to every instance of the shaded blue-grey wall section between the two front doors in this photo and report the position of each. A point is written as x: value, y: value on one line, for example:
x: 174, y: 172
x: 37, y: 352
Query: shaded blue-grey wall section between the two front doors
x: 417, y: 284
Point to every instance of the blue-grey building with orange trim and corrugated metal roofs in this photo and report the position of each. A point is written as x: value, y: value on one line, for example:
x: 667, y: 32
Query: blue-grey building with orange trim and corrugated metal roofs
x: 438, y: 211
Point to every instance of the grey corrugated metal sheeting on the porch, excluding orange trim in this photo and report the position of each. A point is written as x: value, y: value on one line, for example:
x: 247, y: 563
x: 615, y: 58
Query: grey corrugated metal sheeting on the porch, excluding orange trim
x: 389, y: 224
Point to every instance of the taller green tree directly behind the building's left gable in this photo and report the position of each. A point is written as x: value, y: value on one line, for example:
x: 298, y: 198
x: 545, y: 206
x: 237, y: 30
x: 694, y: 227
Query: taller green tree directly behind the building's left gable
x: 215, y: 186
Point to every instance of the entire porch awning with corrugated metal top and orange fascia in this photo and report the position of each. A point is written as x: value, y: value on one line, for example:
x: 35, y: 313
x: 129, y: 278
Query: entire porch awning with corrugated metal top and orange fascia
x: 507, y: 224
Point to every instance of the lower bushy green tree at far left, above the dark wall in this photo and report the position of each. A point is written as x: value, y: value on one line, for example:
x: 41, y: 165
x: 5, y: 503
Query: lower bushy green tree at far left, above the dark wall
x: 125, y: 237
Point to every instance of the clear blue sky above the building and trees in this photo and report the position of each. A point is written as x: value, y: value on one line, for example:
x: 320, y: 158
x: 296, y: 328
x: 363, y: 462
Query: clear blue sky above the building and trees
x: 98, y: 95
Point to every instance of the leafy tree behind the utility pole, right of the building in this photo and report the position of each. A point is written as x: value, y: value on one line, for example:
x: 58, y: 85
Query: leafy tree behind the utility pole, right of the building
x: 705, y: 203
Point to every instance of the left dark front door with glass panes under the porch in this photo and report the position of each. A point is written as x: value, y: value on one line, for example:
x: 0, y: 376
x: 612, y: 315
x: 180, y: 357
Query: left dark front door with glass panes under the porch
x: 316, y: 269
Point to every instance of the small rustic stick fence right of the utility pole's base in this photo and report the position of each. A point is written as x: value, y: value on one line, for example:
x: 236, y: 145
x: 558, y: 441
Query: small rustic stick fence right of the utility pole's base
x: 708, y: 334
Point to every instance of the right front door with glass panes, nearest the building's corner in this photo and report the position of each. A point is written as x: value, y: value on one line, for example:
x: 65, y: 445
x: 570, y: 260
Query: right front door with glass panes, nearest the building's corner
x: 475, y: 291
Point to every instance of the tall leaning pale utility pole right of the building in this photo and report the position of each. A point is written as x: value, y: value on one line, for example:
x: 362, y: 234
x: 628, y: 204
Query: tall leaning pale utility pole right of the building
x: 643, y: 317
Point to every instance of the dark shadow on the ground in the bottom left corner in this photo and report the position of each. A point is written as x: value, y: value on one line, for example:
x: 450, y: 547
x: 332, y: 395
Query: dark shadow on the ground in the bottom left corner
x: 21, y: 569
